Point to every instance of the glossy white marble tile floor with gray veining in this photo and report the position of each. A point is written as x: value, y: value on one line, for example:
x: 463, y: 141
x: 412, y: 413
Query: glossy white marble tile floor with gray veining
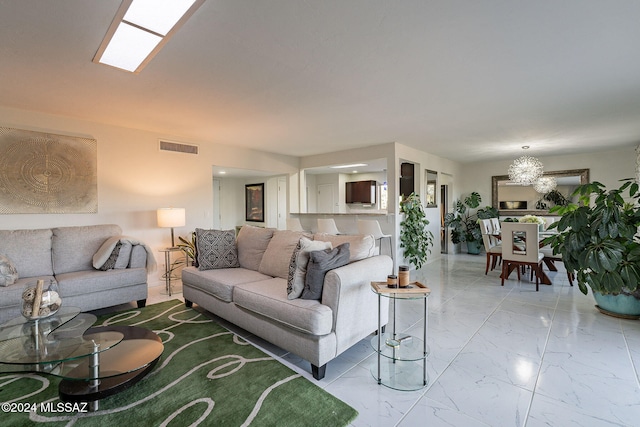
x: 499, y: 356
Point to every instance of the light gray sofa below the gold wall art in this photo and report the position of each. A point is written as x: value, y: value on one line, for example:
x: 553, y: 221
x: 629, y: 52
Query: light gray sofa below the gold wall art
x: 65, y: 255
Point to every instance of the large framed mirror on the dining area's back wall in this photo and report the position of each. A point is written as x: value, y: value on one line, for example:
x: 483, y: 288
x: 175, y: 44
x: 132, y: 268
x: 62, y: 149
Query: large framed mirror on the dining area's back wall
x: 518, y: 200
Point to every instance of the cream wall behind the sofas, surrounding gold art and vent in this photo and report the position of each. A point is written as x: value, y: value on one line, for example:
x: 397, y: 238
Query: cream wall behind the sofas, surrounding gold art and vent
x: 135, y: 178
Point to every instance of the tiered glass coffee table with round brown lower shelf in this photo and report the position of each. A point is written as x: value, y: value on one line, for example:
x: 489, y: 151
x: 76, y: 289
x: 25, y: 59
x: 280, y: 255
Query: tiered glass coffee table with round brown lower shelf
x: 94, y: 362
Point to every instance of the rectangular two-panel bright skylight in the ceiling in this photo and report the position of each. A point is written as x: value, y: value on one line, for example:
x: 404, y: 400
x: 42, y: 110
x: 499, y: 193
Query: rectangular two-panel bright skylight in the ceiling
x: 140, y: 29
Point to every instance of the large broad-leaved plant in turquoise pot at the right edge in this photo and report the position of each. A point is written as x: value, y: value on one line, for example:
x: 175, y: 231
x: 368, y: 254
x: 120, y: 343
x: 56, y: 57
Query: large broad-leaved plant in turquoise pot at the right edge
x: 600, y: 243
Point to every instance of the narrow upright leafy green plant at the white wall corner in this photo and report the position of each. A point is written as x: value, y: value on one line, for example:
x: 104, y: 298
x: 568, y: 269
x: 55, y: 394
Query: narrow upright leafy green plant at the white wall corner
x: 415, y: 239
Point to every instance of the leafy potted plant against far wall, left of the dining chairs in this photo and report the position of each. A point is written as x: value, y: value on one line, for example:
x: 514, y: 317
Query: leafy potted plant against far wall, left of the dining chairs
x: 463, y: 221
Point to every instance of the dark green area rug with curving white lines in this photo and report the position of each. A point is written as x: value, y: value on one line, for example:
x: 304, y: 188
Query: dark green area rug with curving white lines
x: 207, y: 376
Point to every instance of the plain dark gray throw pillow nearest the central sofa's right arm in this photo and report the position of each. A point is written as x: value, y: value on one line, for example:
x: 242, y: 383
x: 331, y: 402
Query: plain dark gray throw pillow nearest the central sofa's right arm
x: 320, y: 262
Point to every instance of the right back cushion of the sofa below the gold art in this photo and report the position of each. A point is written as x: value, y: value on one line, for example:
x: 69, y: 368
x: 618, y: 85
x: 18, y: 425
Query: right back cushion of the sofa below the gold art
x: 74, y: 247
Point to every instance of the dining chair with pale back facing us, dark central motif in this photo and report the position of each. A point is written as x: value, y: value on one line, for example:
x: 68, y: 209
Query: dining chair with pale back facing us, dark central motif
x: 520, y: 247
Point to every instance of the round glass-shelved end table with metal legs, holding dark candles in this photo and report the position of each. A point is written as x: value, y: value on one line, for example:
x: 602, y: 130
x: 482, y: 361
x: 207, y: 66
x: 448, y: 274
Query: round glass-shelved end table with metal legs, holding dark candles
x: 401, y: 354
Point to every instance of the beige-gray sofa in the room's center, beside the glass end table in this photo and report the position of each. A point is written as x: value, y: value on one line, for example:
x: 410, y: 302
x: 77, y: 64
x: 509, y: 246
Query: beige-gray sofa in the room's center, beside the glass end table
x: 257, y: 295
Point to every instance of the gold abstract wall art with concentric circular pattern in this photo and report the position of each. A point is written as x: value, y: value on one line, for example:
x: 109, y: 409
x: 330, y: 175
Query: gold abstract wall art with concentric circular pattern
x: 47, y: 173
